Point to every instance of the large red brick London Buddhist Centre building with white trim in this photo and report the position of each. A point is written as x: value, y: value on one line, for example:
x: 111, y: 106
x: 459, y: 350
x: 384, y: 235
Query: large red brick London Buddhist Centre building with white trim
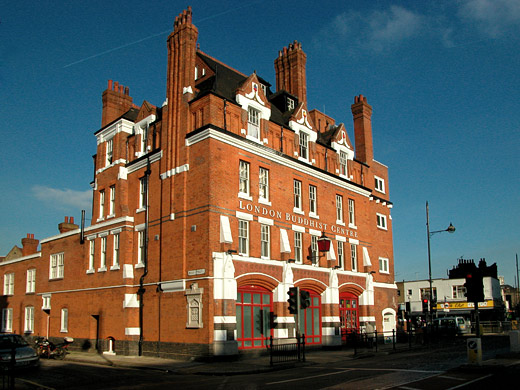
x: 206, y: 210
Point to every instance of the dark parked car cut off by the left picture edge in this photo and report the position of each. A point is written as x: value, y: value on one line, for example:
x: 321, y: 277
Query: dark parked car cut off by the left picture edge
x: 24, y: 354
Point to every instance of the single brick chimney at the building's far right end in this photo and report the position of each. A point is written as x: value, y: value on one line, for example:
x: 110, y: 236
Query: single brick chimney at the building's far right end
x: 362, y: 113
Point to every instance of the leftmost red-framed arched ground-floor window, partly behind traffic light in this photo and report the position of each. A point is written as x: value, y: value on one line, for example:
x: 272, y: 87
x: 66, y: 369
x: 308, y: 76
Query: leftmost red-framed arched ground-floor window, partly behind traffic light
x: 254, y: 307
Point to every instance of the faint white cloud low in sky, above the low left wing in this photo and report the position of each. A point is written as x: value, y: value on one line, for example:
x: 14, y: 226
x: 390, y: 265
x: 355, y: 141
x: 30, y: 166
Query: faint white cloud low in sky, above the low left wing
x: 63, y: 198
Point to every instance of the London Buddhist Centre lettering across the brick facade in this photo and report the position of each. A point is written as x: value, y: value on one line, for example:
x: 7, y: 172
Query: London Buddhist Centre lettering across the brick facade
x: 296, y: 219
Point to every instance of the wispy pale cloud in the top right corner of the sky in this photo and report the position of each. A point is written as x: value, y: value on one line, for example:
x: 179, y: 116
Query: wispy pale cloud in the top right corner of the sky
x: 493, y: 17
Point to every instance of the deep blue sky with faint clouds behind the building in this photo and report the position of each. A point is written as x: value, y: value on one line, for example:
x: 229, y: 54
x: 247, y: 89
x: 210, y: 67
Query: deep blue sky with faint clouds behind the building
x: 442, y: 78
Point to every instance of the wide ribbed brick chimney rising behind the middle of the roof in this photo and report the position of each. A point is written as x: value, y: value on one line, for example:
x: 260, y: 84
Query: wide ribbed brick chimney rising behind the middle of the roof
x: 290, y: 71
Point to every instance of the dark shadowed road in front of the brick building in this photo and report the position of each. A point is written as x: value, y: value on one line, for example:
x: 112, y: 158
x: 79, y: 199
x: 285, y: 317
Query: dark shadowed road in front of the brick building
x: 425, y: 369
